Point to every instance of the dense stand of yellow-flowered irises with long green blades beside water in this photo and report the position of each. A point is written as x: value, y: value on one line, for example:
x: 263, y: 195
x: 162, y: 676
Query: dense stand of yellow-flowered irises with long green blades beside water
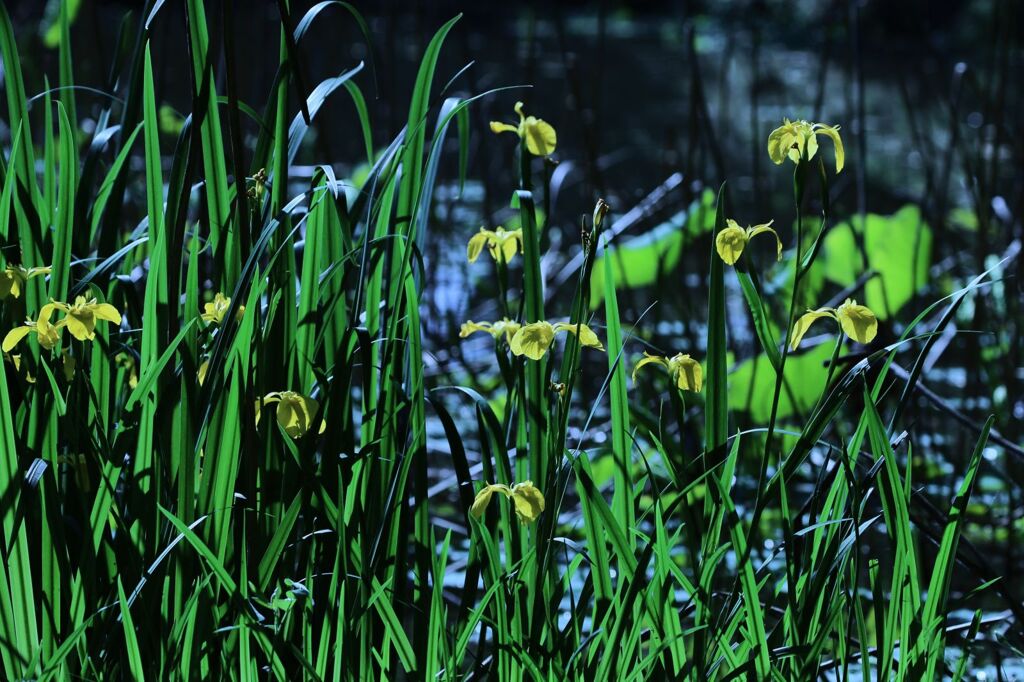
x: 215, y: 414
